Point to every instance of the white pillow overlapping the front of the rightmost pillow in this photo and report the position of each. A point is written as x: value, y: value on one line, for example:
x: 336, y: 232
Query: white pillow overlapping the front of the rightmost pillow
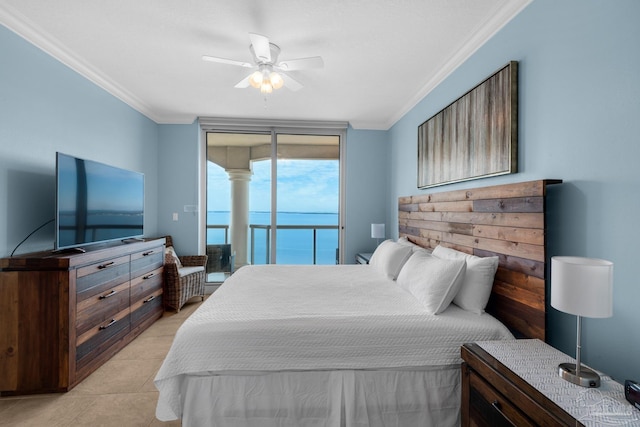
x: 433, y: 281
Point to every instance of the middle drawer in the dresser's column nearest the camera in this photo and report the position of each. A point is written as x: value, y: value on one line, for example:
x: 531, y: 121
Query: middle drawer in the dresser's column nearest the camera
x: 97, y: 309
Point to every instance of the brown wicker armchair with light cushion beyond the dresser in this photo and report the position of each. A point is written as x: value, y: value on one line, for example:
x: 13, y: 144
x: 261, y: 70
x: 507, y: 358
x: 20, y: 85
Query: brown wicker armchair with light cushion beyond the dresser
x: 182, y: 282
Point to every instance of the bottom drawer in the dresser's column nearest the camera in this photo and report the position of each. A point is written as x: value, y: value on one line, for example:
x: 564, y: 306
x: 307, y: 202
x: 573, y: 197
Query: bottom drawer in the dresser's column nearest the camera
x: 100, y: 337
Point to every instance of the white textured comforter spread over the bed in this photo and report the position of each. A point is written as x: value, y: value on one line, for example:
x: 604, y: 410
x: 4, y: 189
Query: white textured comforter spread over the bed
x: 288, y: 318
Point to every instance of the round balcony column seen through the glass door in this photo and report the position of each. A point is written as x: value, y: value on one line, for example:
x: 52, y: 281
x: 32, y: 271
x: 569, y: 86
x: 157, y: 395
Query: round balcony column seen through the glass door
x: 239, y: 223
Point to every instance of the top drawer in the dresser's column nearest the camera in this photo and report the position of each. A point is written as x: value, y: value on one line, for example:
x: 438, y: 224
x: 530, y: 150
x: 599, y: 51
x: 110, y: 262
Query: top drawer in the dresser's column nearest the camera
x: 101, y: 276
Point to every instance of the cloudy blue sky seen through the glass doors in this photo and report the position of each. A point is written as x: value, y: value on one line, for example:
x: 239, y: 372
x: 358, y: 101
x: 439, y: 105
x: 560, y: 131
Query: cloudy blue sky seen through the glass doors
x: 303, y: 186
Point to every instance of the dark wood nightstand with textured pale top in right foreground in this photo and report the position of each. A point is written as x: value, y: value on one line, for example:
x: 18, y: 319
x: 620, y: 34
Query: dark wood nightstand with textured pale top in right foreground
x: 516, y: 382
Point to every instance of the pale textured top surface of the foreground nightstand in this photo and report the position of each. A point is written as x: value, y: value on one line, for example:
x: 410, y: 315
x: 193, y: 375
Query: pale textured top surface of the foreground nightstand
x: 536, y: 363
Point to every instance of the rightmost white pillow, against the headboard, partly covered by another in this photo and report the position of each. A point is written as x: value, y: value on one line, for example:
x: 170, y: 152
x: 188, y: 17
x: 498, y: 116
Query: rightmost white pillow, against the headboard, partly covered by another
x: 478, y: 281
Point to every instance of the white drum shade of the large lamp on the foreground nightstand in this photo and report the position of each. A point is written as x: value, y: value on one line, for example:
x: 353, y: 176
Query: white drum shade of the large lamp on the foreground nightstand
x: 582, y: 286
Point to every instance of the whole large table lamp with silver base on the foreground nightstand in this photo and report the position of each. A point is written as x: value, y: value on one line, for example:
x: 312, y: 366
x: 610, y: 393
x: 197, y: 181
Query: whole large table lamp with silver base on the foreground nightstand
x: 582, y: 287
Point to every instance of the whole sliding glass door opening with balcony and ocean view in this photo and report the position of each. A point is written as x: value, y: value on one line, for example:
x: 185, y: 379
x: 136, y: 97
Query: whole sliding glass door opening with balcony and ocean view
x: 272, y: 197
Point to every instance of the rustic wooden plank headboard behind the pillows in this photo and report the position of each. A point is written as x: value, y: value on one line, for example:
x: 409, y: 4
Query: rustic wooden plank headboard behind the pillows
x: 503, y: 220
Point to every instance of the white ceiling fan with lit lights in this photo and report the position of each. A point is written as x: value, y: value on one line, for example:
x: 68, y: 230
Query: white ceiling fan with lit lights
x: 270, y: 74
